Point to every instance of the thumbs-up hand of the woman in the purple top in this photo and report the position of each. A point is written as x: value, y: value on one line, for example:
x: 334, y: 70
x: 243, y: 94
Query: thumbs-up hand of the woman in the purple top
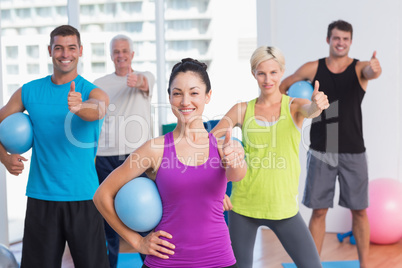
x: 233, y: 152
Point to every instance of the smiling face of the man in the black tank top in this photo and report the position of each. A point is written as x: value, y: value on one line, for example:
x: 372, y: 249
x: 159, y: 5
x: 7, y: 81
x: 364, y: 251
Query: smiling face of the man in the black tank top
x: 339, y: 43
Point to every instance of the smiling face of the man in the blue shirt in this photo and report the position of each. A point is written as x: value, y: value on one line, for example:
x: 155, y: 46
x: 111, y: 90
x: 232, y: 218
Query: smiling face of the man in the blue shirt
x: 65, y: 52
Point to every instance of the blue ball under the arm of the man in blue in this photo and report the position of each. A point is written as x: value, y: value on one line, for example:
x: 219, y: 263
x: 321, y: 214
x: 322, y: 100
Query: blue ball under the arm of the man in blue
x: 16, y: 133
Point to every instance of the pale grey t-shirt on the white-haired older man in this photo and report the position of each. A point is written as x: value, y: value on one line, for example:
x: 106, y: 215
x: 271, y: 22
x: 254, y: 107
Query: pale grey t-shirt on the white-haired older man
x: 128, y: 122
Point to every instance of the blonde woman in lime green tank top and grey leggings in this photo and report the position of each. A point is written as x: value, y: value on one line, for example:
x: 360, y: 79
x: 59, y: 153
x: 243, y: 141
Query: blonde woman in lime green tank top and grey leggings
x: 268, y: 195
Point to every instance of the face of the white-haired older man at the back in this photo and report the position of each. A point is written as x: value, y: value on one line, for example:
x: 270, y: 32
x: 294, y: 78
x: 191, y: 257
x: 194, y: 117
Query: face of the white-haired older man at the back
x: 122, y: 56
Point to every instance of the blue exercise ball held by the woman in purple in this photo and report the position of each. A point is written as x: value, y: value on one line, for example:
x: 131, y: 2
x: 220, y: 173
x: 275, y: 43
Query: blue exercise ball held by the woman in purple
x: 139, y: 205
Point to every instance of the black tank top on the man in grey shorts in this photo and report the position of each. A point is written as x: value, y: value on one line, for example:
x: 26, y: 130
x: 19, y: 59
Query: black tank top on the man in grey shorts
x: 339, y: 129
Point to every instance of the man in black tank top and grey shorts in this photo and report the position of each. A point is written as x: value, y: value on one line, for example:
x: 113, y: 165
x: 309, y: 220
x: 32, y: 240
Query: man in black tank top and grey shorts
x: 337, y: 146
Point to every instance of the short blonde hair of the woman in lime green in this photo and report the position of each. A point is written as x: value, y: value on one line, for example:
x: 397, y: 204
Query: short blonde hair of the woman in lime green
x: 264, y: 53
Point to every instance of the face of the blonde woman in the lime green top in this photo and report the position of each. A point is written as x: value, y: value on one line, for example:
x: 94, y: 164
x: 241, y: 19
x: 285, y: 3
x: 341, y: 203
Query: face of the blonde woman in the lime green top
x: 268, y: 75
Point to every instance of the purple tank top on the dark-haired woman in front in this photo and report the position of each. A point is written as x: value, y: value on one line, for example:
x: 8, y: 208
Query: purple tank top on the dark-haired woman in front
x: 192, y: 199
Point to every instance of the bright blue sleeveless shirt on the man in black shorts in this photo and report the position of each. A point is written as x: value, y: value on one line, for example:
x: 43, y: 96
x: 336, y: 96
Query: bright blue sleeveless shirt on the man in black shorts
x: 64, y: 148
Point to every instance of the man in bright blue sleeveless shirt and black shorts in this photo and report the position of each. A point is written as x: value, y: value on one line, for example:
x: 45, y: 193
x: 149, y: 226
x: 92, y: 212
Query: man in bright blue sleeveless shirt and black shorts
x: 67, y: 114
